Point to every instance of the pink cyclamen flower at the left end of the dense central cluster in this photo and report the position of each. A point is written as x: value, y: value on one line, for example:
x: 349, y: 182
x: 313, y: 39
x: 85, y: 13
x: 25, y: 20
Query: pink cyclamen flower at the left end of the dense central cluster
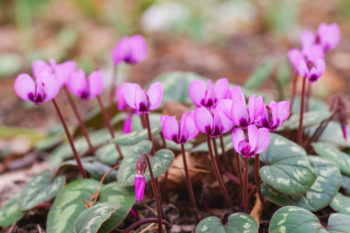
x: 179, y: 132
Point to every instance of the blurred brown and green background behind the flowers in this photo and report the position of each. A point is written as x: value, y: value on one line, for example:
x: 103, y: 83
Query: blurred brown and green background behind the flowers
x: 213, y: 38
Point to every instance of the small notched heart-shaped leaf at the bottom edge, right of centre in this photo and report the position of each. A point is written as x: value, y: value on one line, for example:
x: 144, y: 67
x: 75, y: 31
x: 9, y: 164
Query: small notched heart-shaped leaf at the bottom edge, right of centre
x: 238, y: 222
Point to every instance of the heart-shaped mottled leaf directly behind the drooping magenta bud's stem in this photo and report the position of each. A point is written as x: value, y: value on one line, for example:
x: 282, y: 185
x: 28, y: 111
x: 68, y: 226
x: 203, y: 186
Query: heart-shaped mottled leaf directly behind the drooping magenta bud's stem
x: 160, y: 162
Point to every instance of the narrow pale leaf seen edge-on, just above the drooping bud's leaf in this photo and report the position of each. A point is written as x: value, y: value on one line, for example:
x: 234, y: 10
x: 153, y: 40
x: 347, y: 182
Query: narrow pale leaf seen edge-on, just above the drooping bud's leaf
x: 135, y: 137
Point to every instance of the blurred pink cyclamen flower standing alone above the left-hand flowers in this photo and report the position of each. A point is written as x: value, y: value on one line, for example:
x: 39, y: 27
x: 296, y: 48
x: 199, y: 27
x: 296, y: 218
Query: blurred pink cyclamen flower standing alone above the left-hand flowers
x: 131, y: 50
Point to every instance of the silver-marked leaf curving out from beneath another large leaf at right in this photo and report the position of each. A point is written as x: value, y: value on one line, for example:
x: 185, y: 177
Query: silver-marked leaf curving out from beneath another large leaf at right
x: 319, y: 195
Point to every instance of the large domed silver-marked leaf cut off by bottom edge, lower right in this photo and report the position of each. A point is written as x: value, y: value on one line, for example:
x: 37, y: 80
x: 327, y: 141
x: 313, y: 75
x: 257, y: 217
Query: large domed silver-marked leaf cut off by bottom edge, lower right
x: 295, y: 219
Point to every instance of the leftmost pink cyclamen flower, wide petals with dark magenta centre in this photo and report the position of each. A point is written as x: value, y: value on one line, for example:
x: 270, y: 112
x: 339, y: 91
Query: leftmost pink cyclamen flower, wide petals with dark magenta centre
x: 43, y: 89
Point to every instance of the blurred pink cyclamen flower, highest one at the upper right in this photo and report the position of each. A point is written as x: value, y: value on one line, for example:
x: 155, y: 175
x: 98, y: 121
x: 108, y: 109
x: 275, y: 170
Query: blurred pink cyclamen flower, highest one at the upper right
x: 328, y: 36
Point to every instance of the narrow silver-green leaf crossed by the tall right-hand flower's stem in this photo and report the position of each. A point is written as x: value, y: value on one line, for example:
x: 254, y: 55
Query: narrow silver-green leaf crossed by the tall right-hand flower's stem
x: 309, y: 119
